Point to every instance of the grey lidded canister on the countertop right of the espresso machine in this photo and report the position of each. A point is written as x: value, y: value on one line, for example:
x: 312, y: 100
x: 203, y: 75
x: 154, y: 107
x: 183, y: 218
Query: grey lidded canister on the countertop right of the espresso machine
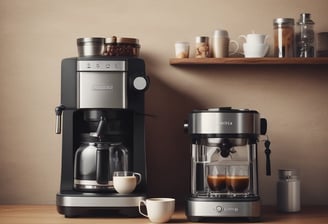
x: 288, y: 191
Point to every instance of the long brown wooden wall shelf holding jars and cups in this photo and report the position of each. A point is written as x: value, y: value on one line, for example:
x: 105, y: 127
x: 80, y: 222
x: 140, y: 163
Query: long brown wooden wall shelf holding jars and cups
x: 249, y: 61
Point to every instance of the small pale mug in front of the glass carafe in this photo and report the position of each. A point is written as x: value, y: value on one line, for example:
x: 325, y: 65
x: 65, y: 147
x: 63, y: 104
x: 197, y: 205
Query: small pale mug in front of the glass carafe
x: 125, y: 182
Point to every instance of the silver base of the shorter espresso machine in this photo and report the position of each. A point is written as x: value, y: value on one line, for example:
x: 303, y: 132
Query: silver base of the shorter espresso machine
x: 208, y: 208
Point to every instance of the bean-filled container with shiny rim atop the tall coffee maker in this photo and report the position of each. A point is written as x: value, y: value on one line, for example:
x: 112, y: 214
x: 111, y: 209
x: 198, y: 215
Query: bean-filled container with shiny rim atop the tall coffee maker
x: 122, y: 46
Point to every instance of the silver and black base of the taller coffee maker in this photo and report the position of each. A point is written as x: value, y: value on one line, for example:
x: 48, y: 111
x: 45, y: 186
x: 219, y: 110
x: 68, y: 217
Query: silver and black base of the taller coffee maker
x: 98, y: 205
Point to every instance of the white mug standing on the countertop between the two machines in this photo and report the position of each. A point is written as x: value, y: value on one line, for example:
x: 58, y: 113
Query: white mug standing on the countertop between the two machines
x: 159, y: 210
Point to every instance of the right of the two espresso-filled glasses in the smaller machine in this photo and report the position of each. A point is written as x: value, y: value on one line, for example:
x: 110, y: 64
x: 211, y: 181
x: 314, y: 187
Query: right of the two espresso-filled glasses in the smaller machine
x: 237, y: 178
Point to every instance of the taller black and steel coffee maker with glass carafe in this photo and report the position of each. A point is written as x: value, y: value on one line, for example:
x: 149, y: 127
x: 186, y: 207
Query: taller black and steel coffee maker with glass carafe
x: 102, y: 105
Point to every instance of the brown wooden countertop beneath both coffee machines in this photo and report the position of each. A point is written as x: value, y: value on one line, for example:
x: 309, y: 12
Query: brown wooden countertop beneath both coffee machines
x: 47, y: 214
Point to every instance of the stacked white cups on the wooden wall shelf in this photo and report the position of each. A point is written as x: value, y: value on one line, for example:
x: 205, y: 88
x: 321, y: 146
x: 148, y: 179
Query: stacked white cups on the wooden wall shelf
x: 255, y: 46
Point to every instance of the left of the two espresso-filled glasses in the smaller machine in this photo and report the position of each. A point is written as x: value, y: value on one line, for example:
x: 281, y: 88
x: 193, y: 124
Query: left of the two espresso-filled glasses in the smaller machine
x: 216, y: 178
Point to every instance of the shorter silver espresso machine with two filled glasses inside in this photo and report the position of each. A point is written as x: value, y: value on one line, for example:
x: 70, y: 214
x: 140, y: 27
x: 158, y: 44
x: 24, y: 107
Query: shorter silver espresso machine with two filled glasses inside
x: 224, y: 166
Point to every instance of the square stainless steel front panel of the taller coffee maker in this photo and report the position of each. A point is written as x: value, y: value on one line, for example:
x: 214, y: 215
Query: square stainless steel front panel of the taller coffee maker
x: 102, y: 90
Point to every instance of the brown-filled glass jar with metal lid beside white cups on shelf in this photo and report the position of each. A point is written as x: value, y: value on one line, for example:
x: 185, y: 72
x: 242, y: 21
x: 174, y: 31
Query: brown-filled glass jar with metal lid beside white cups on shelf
x: 283, y: 37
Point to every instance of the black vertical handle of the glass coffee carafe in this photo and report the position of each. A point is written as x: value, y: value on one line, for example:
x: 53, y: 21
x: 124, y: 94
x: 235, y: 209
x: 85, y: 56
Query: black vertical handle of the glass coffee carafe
x: 102, y: 164
